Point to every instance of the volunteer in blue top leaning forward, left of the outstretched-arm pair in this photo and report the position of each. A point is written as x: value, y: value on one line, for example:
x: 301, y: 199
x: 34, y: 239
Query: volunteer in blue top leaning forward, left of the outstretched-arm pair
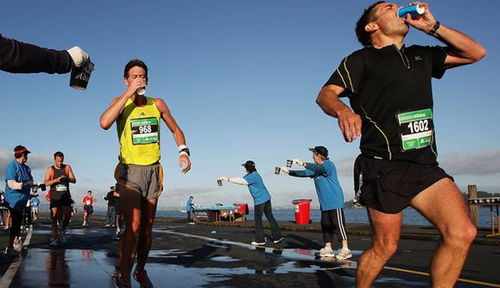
x: 262, y: 203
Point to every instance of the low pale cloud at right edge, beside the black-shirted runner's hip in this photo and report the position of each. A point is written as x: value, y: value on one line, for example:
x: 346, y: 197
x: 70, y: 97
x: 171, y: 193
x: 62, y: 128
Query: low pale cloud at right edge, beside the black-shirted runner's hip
x: 476, y: 164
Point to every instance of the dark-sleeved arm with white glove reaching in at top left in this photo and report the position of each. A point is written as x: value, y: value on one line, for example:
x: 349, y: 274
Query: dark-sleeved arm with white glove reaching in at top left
x: 19, y: 57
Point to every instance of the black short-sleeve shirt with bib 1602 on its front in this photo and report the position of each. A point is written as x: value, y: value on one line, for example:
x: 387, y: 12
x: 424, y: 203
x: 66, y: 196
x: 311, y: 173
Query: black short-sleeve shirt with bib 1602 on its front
x: 391, y: 90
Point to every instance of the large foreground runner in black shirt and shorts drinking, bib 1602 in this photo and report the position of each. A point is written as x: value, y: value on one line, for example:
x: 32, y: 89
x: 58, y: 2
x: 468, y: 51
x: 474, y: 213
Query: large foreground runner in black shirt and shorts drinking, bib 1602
x: 389, y: 89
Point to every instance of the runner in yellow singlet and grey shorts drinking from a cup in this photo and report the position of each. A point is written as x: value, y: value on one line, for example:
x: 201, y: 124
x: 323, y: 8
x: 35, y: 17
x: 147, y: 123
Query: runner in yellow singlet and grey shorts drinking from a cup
x: 139, y: 174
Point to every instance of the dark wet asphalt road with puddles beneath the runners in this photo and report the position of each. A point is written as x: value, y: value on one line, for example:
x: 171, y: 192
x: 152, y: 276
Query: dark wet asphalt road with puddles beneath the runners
x: 206, y: 256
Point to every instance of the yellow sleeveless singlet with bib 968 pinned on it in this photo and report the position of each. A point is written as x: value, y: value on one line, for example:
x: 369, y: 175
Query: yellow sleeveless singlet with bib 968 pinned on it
x: 139, y: 133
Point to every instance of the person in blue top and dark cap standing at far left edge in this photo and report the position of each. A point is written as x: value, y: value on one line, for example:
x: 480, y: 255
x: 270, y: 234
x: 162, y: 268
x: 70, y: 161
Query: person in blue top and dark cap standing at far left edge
x: 17, y: 193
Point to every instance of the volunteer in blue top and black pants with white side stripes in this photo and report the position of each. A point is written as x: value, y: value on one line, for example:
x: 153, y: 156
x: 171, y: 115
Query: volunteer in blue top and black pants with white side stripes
x: 331, y: 200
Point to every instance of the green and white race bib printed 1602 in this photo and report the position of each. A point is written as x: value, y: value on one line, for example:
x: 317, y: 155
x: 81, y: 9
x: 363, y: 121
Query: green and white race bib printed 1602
x: 416, y: 129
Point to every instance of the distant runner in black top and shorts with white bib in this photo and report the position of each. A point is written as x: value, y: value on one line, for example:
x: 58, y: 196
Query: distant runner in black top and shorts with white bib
x: 58, y: 178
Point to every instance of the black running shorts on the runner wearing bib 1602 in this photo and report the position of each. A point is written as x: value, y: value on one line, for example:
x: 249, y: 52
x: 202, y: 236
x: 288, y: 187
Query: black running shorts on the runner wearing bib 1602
x: 389, y: 186
